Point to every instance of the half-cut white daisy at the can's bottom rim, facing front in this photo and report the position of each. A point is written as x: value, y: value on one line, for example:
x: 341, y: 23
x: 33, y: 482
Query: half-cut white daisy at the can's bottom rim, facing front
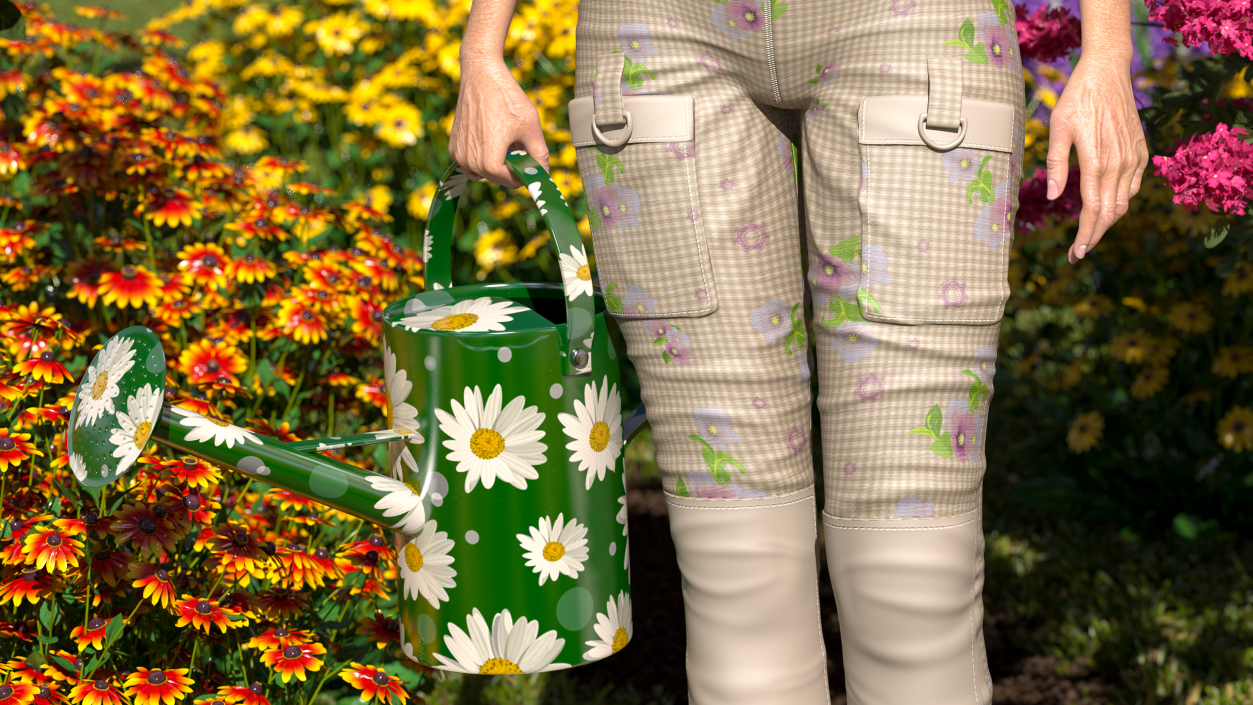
x: 509, y: 648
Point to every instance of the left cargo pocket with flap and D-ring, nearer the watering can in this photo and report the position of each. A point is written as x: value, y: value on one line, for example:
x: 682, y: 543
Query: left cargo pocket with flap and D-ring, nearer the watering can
x: 637, y: 158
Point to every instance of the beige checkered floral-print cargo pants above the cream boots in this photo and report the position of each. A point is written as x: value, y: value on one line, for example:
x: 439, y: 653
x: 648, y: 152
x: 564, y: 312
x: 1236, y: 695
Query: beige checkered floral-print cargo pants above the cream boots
x: 714, y: 251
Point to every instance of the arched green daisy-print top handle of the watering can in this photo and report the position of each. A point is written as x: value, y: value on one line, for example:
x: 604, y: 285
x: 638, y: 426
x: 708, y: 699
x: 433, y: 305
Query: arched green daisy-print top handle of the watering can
x: 438, y: 249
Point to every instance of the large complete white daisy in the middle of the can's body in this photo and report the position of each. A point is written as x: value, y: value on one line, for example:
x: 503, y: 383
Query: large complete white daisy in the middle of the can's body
x: 488, y: 441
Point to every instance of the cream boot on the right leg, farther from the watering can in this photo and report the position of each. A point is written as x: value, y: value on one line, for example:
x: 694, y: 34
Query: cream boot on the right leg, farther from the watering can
x: 912, y: 613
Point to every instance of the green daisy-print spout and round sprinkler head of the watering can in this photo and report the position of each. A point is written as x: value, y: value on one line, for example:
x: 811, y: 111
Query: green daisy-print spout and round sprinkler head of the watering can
x: 120, y: 408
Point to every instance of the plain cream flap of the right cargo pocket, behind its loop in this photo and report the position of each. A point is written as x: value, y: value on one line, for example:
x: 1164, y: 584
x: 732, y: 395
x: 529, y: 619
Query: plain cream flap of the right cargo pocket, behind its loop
x: 894, y: 120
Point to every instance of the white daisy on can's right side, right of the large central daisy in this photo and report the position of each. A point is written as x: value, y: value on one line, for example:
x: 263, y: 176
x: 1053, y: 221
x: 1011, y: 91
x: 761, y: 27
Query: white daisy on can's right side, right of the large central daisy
x: 597, y: 430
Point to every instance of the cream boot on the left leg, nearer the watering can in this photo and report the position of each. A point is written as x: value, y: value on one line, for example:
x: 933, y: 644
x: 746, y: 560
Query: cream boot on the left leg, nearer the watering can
x: 751, y: 600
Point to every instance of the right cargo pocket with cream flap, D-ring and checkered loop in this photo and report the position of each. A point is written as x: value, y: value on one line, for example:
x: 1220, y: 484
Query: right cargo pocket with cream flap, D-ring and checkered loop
x: 938, y: 206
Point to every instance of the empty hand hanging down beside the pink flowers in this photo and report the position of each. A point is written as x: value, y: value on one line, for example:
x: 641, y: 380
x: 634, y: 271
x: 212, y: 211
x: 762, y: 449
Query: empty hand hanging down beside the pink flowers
x: 1097, y: 115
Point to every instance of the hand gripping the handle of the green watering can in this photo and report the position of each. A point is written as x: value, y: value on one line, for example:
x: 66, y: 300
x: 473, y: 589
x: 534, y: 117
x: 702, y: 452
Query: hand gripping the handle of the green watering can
x: 494, y: 117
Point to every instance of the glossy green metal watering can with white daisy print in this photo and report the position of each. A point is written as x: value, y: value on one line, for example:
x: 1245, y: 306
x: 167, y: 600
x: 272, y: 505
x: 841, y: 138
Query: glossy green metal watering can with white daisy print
x: 507, y: 485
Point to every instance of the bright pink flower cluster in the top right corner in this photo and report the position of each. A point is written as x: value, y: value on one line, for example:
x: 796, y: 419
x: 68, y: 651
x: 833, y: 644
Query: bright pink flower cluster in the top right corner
x: 1227, y: 26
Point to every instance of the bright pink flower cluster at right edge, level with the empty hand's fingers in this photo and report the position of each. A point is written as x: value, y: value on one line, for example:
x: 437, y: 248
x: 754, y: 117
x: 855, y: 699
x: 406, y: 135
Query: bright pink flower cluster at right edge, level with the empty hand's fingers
x: 1216, y: 170
